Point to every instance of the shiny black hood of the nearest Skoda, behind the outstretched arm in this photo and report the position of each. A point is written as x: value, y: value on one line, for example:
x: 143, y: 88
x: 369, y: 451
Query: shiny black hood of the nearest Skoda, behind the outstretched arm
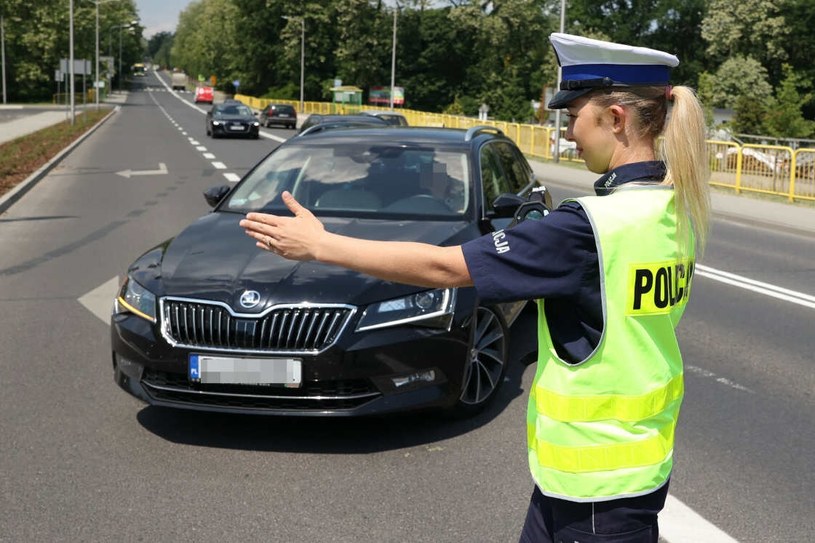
x: 214, y: 259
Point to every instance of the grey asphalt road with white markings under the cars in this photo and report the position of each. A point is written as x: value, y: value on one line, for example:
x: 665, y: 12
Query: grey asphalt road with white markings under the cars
x: 80, y: 460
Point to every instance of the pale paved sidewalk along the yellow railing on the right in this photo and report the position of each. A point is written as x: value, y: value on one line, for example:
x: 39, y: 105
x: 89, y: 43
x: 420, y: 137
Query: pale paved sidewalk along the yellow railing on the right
x: 791, y: 217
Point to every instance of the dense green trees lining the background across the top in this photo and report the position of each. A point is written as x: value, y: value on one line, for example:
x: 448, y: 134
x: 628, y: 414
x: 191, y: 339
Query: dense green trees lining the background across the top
x: 451, y: 55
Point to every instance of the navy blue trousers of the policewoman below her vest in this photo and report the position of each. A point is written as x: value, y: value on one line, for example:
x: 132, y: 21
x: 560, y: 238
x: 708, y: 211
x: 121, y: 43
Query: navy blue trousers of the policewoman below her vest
x: 627, y: 520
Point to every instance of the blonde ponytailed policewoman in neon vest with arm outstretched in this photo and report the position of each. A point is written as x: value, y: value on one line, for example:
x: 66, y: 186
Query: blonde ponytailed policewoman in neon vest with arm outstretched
x: 611, y: 274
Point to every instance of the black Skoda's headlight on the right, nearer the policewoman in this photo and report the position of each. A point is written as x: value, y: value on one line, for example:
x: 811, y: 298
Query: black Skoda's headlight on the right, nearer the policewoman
x: 432, y: 308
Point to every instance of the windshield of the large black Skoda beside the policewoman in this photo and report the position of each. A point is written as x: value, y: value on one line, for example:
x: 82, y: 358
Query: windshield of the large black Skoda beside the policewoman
x: 370, y: 179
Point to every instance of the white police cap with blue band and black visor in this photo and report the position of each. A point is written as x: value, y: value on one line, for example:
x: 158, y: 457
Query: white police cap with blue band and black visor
x: 589, y: 64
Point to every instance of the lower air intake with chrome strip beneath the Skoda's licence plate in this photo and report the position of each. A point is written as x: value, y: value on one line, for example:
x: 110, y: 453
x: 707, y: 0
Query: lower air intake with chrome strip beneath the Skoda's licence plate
x: 317, y: 395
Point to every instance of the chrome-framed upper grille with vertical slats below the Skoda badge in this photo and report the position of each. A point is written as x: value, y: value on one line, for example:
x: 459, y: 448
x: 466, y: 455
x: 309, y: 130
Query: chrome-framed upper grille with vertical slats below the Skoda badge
x: 303, y: 329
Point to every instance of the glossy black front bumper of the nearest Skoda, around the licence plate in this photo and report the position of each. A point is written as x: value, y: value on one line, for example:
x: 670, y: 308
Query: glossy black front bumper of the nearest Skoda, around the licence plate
x: 367, y: 373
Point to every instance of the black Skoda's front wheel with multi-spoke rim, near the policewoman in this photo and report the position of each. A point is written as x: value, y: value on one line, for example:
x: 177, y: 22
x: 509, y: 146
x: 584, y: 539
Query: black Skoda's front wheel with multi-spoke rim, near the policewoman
x: 486, y: 364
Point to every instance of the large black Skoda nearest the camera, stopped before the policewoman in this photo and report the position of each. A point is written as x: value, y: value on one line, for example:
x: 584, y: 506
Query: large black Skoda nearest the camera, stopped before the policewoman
x: 207, y: 321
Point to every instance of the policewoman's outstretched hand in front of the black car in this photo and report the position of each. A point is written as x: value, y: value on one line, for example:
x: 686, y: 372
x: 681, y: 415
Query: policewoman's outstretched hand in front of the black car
x: 295, y: 238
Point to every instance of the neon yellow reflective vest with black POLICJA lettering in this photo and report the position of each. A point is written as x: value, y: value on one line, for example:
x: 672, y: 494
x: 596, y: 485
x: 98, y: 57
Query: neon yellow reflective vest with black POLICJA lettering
x: 603, y: 428
